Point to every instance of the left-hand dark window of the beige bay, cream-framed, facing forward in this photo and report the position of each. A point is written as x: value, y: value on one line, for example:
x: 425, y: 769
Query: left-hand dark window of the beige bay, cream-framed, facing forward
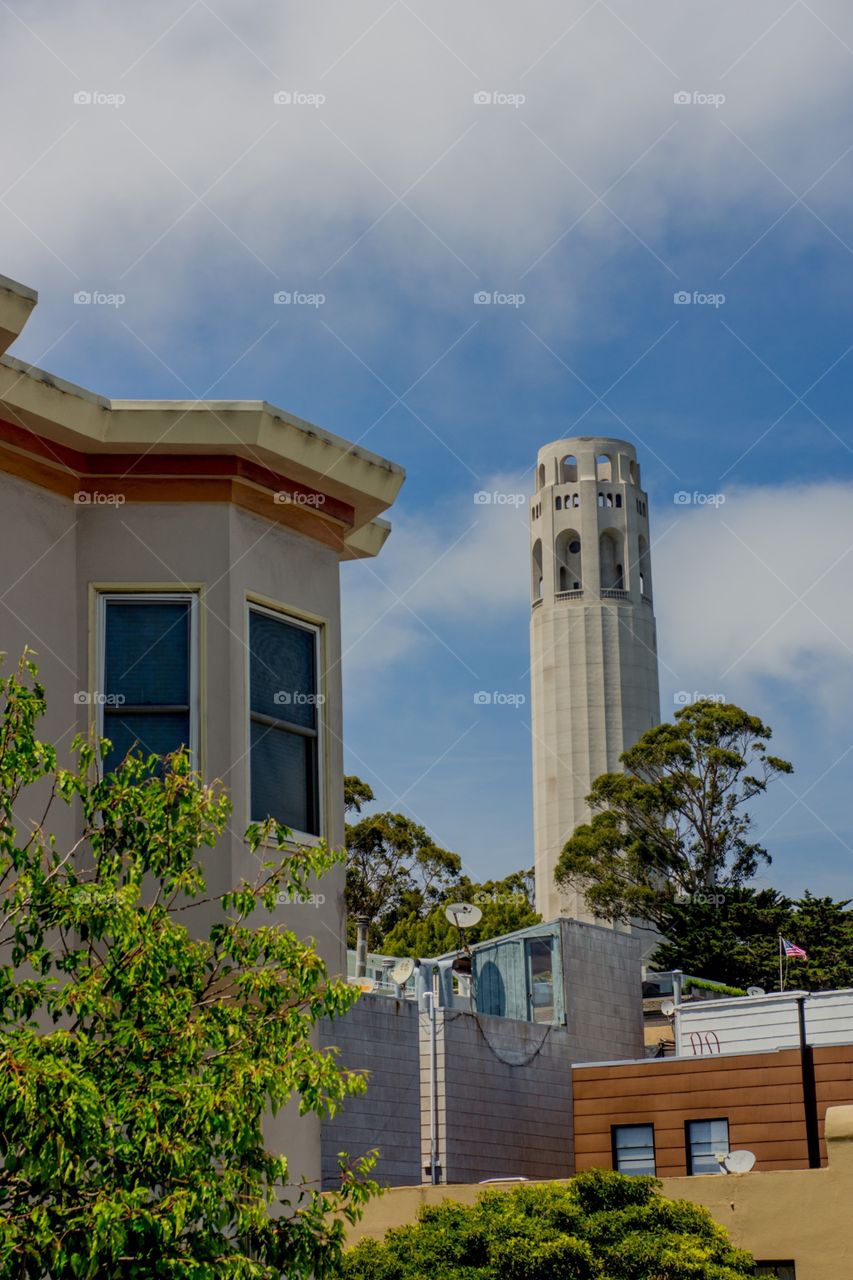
x: 148, y: 700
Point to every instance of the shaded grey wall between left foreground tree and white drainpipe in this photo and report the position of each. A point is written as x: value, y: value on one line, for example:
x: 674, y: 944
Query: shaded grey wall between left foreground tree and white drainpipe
x: 380, y: 1035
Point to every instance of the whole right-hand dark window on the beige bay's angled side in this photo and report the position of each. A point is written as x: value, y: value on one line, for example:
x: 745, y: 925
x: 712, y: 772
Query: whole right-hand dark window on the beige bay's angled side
x: 285, y: 724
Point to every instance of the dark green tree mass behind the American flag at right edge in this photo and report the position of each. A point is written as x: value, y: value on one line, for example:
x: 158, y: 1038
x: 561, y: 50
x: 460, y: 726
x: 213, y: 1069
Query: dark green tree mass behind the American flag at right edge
x: 736, y: 940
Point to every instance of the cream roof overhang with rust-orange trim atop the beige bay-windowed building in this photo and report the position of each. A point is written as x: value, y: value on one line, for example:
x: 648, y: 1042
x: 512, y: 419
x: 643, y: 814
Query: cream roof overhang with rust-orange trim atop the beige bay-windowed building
x: 77, y: 433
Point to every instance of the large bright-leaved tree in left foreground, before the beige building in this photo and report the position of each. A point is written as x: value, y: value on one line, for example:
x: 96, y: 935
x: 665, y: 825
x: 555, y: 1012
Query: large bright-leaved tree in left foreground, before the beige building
x: 142, y: 1053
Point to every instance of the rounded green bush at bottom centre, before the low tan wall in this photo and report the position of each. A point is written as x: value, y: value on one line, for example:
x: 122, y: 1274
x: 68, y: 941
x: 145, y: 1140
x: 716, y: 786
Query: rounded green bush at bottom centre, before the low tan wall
x: 599, y: 1227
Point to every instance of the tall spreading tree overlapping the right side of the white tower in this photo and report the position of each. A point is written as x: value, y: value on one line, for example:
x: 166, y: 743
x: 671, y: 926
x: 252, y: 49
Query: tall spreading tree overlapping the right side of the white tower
x: 674, y: 824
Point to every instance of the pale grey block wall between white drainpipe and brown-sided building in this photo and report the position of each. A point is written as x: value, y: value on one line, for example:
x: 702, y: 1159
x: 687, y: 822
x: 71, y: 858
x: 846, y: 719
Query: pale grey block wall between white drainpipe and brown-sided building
x: 504, y: 1099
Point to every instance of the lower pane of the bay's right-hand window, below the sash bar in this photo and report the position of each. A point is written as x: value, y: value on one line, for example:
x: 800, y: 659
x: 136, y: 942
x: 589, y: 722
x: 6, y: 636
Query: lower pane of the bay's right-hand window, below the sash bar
x: 284, y: 779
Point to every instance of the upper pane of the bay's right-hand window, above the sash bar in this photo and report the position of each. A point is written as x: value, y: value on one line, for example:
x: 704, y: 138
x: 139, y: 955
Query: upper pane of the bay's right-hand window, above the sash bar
x: 284, y: 671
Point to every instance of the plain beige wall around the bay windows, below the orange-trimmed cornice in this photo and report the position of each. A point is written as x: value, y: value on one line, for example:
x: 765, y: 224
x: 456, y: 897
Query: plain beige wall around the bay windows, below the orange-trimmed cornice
x: 56, y: 552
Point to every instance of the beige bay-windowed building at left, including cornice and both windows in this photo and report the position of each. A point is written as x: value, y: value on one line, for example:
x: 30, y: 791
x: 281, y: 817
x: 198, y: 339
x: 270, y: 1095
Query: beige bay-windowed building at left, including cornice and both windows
x: 176, y: 569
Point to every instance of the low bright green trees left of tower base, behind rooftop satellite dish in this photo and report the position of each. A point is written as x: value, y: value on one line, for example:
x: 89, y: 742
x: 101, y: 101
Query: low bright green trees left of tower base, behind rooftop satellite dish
x: 505, y: 906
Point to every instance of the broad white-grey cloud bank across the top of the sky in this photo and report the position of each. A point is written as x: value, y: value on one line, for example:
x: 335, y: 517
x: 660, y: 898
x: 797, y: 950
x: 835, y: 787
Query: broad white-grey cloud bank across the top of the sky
x: 490, y: 188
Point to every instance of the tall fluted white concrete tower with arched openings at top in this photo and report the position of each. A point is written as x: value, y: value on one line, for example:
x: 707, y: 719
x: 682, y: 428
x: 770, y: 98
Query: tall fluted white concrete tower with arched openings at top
x: 594, y: 650
